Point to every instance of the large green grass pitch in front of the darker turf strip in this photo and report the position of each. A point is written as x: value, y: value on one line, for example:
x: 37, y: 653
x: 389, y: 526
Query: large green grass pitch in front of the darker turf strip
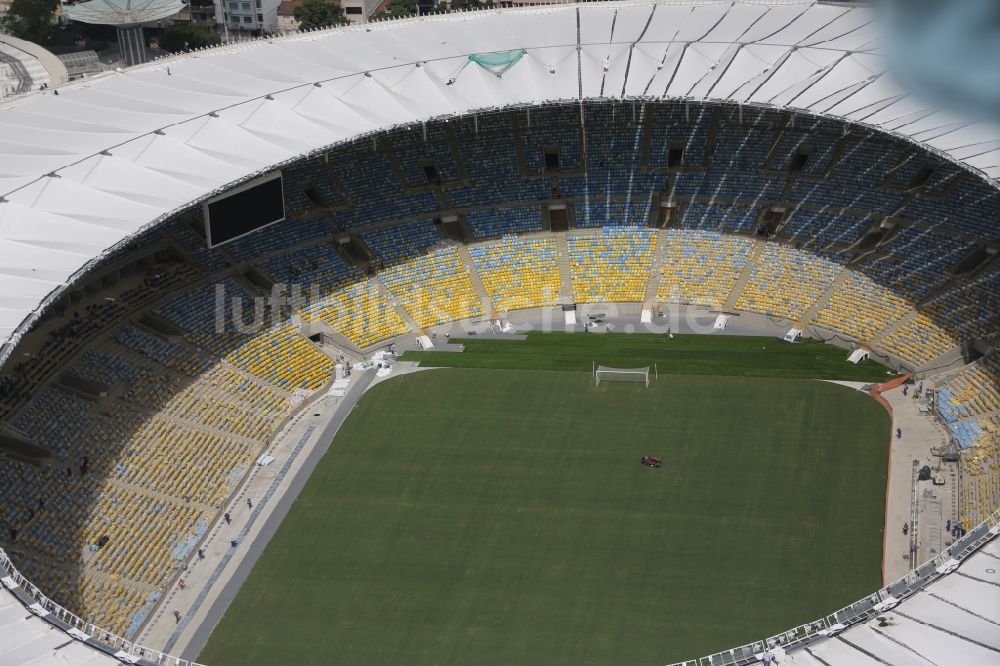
x: 470, y: 516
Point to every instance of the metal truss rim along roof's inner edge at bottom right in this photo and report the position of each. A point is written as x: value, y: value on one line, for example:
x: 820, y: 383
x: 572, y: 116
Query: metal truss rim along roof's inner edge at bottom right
x: 865, y: 609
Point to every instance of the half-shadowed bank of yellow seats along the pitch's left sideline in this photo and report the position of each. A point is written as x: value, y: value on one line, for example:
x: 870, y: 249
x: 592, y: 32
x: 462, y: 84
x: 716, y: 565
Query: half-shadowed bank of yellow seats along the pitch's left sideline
x: 141, y: 471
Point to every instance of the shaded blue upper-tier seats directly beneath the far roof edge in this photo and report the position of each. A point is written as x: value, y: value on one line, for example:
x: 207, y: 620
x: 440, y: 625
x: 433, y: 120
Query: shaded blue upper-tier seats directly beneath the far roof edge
x: 731, y: 171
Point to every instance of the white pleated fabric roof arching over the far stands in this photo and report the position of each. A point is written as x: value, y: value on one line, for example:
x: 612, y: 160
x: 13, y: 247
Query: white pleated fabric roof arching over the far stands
x: 133, y: 146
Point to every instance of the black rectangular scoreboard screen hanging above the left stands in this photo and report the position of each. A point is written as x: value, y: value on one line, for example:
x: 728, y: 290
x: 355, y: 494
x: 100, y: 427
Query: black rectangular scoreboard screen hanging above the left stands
x: 244, y: 210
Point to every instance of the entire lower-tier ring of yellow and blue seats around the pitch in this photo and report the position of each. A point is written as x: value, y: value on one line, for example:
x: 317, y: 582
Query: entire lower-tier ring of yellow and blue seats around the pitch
x: 150, y: 463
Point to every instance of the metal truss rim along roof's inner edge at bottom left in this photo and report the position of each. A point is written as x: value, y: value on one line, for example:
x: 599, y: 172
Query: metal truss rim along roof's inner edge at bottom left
x: 77, y: 628
